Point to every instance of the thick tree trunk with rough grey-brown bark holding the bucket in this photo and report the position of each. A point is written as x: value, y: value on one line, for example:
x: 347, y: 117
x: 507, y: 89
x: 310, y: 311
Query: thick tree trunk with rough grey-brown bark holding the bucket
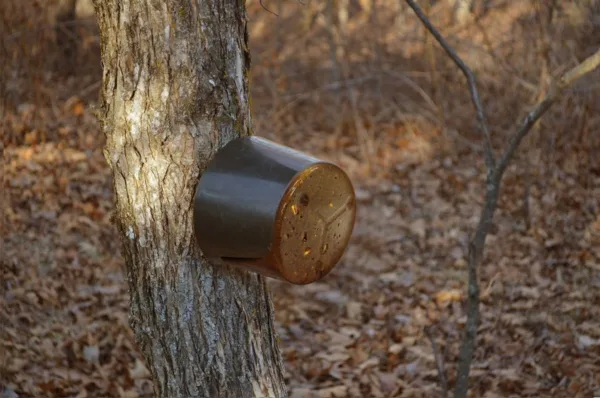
x: 175, y: 89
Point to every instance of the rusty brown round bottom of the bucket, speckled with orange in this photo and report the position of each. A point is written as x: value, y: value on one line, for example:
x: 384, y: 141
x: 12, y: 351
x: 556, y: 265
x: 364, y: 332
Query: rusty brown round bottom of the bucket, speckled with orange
x: 314, y: 223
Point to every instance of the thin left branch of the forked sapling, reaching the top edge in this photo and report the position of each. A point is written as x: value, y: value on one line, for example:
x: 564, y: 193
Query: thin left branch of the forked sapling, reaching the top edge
x: 488, y: 150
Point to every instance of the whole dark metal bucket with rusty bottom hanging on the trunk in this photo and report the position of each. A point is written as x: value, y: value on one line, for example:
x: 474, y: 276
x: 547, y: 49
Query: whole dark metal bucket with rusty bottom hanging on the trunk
x: 272, y: 210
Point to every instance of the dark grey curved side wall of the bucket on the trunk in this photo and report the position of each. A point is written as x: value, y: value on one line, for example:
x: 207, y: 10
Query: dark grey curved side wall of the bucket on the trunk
x: 238, y: 196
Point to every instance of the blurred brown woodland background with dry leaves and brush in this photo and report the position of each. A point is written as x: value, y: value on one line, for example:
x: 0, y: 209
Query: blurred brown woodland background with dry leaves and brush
x: 363, y: 84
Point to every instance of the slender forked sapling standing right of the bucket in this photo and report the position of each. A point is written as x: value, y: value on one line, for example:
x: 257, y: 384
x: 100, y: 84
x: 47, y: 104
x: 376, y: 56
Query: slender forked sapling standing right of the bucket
x: 495, y: 173
